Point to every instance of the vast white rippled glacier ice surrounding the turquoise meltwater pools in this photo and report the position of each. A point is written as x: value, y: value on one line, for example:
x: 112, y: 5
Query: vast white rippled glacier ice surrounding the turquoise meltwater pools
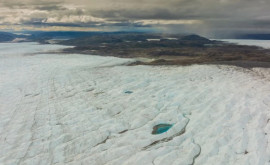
x: 73, y: 109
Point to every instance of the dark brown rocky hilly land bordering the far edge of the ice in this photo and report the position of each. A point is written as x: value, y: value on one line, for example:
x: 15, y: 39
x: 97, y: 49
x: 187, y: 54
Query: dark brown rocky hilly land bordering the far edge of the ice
x: 170, y: 49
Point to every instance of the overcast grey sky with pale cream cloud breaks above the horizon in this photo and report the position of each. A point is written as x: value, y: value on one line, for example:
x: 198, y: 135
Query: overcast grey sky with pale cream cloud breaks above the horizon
x: 205, y: 17
